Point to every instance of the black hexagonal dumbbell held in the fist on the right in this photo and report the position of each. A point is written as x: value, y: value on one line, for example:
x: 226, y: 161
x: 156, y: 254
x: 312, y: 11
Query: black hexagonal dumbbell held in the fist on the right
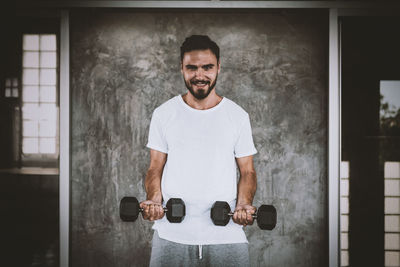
x: 266, y: 215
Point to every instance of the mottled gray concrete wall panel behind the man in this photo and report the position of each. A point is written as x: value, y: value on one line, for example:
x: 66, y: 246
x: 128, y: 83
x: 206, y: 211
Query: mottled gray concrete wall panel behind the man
x: 126, y: 63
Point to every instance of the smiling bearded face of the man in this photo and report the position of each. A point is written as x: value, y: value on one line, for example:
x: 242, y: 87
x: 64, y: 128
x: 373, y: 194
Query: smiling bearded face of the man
x: 200, y: 71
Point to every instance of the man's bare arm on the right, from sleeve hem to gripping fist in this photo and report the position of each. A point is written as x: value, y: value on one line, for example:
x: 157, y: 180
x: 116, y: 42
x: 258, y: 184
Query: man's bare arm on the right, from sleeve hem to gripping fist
x: 246, y: 189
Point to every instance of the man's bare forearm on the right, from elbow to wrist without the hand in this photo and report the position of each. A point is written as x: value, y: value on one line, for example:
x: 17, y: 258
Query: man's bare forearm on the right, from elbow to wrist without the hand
x: 247, y: 187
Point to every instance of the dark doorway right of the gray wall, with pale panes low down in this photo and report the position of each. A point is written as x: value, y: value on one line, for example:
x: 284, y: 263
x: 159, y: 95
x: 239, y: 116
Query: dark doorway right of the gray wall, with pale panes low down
x: 370, y: 198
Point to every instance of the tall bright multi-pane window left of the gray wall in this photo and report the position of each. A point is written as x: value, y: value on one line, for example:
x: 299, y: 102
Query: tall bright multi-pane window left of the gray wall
x: 39, y: 96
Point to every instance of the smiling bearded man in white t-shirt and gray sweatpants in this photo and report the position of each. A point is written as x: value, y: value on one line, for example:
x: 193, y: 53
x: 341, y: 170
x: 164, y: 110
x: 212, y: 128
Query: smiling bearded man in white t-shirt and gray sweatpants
x: 195, y: 142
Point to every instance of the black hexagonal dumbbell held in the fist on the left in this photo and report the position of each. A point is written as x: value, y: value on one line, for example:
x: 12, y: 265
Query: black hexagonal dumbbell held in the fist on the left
x: 129, y: 209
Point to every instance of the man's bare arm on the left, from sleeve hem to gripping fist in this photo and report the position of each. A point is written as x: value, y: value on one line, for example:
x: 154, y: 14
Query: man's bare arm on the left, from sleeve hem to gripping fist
x: 152, y: 207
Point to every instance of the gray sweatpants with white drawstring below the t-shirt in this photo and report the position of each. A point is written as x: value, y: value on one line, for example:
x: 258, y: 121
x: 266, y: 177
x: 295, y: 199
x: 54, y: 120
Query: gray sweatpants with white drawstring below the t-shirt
x: 166, y: 253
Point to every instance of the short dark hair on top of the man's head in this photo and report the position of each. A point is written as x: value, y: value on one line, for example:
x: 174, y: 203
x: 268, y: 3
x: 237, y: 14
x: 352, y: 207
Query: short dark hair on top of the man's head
x: 199, y: 42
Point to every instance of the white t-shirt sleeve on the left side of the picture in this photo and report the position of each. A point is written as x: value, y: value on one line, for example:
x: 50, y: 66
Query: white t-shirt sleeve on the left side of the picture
x: 156, y: 138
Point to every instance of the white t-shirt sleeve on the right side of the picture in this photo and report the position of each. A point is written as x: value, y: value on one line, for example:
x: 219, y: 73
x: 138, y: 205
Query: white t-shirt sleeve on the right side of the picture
x: 244, y: 145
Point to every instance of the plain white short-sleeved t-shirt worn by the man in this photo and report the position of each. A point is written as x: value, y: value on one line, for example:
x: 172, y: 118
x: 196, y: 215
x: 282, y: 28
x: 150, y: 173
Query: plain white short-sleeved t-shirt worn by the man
x: 201, y: 167
